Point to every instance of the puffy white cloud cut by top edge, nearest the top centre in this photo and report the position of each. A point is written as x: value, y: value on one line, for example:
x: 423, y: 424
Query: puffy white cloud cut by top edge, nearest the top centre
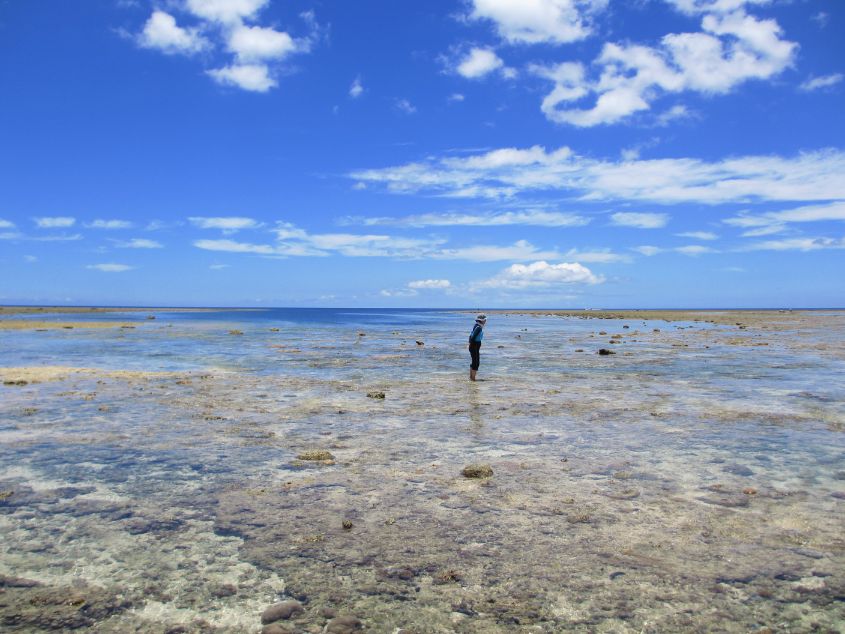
x: 535, y: 21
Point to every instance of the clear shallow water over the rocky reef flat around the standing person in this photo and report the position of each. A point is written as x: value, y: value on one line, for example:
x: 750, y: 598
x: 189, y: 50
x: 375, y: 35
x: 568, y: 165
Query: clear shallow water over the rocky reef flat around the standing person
x: 693, y: 481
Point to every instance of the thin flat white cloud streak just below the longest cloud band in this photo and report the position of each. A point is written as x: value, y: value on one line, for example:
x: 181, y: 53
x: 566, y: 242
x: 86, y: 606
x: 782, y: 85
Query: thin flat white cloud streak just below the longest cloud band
x: 538, y: 218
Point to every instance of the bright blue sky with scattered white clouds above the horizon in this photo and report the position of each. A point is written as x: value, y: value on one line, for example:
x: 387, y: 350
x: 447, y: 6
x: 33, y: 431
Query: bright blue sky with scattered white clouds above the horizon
x: 472, y: 153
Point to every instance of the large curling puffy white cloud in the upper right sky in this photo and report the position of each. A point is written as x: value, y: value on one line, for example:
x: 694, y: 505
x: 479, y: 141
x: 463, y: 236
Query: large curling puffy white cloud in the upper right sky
x: 732, y: 48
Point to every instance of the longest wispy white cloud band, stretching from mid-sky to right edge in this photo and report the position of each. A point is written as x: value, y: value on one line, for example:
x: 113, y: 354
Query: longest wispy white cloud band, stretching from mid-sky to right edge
x: 510, y: 171
